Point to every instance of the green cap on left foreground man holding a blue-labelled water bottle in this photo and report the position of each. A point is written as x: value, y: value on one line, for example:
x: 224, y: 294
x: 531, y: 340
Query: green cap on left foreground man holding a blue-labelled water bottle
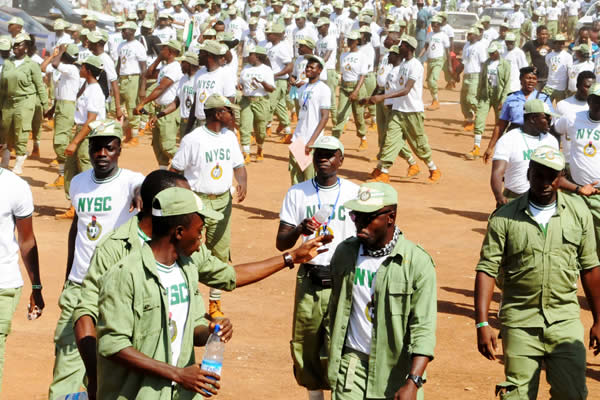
x: 175, y: 201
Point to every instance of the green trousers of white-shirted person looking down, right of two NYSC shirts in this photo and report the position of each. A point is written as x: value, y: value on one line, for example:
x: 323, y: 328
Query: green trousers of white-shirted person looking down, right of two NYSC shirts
x: 254, y: 115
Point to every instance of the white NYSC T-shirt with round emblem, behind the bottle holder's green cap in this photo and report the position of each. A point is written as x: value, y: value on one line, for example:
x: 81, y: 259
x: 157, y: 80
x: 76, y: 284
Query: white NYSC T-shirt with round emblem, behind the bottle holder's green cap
x: 208, y: 159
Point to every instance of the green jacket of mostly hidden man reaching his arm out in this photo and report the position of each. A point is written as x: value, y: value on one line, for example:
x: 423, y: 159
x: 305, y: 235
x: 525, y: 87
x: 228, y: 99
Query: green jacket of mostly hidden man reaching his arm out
x: 125, y: 240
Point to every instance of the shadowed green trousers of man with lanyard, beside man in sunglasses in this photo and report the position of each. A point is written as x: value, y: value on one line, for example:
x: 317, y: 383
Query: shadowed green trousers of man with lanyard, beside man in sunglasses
x: 310, y: 332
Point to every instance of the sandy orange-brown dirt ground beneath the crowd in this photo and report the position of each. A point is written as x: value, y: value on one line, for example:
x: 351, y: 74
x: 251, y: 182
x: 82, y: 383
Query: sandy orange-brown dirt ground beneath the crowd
x: 448, y: 219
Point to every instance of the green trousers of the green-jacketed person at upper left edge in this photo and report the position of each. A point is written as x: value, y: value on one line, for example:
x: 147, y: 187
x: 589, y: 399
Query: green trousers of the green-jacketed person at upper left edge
x: 17, y: 117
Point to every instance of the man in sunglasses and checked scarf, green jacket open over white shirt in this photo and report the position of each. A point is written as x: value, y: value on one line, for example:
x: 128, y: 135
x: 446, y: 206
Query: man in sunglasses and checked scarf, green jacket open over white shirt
x: 383, y: 328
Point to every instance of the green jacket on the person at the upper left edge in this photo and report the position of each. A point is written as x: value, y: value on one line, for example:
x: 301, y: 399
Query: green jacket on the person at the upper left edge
x: 24, y: 80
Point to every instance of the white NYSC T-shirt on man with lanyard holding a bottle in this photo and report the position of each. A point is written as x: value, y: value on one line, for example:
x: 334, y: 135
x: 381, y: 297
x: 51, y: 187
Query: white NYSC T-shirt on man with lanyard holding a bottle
x: 303, y: 201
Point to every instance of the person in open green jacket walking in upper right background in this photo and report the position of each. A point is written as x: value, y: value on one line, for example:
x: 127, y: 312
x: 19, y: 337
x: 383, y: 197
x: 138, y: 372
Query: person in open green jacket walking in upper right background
x: 494, y: 86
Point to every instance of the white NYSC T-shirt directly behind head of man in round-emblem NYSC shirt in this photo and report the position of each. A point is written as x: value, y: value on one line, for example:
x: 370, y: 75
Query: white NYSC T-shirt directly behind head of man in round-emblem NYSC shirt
x: 218, y: 81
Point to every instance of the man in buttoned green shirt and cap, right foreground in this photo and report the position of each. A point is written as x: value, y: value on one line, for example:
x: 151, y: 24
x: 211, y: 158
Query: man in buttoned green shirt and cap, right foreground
x: 535, y: 249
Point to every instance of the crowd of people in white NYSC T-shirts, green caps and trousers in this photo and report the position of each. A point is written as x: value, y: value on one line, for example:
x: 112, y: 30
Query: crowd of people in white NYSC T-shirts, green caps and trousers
x: 210, y: 80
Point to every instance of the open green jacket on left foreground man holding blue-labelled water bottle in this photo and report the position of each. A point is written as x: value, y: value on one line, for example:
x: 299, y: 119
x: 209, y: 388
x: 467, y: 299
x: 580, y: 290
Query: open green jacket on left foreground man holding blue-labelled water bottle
x: 134, y: 313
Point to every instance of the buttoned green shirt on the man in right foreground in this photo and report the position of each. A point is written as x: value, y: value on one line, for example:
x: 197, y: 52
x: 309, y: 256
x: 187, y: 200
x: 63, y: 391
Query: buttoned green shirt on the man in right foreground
x: 538, y: 273
